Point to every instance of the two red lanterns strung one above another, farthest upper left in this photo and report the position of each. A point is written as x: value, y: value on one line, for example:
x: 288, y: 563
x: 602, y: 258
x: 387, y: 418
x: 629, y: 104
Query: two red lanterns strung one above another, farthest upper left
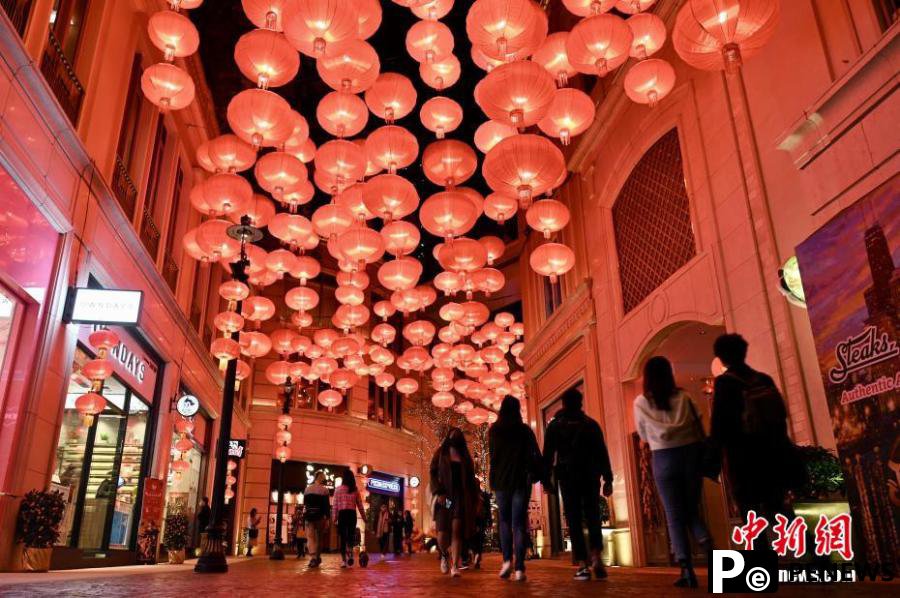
x: 166, y: 85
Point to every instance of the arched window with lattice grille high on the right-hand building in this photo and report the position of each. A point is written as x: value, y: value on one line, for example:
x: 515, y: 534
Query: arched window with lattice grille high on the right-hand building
x: 652, y: 222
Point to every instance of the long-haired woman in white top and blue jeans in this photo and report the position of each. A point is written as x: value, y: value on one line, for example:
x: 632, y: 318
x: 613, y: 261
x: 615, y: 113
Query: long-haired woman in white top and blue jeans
x: 666, y: 418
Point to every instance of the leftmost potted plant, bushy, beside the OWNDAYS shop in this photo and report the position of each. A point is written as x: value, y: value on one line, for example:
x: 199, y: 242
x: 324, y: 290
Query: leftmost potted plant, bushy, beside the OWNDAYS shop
x: 37, y: 527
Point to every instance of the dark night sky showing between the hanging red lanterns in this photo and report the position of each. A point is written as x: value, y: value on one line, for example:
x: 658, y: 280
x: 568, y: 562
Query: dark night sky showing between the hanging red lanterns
x: 222, y: 23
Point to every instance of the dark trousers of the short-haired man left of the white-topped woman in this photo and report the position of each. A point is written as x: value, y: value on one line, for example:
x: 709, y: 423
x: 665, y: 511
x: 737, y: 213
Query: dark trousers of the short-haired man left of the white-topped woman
x: 581, y: 502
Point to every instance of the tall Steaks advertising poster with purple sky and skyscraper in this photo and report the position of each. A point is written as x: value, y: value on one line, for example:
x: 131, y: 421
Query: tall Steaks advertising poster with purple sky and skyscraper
x: 852, y: 286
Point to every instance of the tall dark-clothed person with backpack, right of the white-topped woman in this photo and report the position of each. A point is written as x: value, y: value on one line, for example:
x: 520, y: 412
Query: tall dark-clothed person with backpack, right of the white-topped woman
x: 749, y: 426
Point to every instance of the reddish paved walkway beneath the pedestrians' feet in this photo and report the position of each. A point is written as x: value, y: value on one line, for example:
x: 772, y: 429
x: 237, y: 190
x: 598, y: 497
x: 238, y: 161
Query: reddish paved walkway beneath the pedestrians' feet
x: 416, y: 577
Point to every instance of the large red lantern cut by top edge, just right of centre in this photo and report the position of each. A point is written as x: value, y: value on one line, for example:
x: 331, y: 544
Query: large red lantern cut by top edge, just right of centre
x: 506, y: 29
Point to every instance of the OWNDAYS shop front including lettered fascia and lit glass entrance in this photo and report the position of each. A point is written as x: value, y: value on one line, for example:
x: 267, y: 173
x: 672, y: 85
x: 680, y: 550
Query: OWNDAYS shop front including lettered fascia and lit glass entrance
x: 101, y: 461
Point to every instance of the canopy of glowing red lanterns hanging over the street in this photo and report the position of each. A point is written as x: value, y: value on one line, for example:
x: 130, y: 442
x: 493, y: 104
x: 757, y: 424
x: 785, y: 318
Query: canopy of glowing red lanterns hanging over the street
x: 529, y: 106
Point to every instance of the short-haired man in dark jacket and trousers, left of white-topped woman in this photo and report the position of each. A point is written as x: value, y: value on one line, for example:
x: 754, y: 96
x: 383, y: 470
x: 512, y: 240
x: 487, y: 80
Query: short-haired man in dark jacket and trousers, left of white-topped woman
x: 574, y: 450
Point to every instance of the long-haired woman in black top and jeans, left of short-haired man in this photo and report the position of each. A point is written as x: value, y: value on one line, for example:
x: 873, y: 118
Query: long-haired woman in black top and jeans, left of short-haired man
x: 515, y: 466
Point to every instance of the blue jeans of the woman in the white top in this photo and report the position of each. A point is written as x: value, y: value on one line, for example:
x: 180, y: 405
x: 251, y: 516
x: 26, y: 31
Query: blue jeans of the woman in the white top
x: 680, y: 484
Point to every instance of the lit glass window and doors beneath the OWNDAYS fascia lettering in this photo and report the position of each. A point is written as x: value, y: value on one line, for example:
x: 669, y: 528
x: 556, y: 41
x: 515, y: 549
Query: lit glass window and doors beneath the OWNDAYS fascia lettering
x: 99, y: 466
